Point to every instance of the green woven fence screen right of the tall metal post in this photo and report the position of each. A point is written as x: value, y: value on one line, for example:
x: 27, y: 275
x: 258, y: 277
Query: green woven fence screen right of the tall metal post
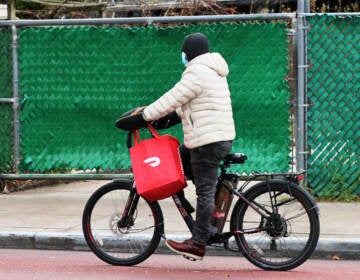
x: 334, y: 117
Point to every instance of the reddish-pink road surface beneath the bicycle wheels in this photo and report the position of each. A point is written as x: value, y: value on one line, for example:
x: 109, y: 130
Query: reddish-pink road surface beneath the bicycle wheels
x: 59, y: 265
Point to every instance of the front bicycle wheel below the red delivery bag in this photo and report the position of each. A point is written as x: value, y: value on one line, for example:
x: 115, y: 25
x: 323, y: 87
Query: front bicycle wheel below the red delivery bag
x: 123, y: 246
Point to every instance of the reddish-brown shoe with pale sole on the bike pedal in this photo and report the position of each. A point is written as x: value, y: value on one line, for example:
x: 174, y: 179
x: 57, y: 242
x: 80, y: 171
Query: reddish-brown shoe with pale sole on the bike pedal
x: 187, y: 248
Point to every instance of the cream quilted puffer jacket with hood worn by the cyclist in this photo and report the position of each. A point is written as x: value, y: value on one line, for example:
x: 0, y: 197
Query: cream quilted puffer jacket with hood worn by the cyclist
x: 202, y: 99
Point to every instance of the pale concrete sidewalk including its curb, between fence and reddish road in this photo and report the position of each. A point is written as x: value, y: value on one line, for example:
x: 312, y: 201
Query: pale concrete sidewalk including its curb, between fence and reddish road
x: 50, y: 218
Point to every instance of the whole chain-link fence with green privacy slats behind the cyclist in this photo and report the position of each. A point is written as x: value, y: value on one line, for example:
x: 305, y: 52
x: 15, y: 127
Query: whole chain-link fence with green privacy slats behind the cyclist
x: 75, y: 81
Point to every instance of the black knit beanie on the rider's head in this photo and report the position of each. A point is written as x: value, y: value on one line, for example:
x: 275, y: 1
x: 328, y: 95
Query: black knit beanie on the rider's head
x: 194, y: 45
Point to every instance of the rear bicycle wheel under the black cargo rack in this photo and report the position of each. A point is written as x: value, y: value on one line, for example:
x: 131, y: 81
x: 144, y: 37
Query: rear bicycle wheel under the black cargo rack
x: 289, y: 237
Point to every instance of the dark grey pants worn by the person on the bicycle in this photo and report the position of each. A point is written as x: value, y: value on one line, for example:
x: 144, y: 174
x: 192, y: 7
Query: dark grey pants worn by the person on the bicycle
x: 201, y: 165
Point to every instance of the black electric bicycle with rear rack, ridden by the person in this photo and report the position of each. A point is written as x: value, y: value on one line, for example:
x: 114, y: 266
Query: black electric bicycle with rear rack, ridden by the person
x: 274, y: 224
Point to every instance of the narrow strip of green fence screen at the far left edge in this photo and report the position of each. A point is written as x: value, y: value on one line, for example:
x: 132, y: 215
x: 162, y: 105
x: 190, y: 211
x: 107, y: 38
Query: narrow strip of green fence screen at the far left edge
x: 6, y: 110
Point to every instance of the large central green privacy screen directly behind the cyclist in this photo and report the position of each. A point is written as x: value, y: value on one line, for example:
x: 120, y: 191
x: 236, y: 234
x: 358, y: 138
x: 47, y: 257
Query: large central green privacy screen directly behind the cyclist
x: 76, y: 81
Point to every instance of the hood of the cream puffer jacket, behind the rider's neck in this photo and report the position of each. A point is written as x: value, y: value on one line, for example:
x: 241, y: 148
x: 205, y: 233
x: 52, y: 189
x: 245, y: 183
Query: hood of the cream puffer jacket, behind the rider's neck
x: 214, y: 61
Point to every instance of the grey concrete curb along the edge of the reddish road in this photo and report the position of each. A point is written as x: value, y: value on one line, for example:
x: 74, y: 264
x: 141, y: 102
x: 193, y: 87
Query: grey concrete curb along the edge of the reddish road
x: 327, y: 248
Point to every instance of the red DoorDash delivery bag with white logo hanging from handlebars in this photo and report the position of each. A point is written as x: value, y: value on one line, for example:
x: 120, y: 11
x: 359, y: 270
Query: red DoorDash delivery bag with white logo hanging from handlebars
x: 156, y: 166
